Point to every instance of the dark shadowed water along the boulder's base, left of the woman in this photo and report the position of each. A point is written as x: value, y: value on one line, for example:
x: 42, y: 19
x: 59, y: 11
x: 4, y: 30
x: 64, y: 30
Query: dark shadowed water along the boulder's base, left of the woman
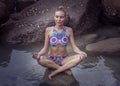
x: 6, y: 50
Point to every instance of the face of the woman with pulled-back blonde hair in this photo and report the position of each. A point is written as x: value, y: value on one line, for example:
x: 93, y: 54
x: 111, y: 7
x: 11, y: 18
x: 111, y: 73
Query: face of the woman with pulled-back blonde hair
x: 59, y: 18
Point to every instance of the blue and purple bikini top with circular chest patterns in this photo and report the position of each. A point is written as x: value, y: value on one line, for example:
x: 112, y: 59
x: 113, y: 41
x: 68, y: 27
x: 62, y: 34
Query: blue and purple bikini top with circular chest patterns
x: 59, y: 38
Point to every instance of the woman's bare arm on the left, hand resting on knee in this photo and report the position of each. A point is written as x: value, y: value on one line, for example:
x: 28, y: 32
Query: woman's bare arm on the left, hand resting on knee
x: 46, y: 43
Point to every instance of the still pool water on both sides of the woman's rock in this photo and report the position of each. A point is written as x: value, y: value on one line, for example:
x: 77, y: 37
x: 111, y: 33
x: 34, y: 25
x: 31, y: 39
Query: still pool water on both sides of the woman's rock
x: 18, y: 68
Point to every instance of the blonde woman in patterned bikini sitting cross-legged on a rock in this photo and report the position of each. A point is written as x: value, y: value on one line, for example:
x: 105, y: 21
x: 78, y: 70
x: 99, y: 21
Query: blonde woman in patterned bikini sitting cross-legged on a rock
x: 57, y: 38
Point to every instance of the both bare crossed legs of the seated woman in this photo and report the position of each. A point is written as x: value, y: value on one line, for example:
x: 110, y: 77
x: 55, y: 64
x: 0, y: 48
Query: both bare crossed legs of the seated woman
x: 67, y: 63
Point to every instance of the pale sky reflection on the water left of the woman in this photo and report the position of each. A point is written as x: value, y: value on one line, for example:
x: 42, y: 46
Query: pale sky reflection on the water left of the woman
x: 21, y: 71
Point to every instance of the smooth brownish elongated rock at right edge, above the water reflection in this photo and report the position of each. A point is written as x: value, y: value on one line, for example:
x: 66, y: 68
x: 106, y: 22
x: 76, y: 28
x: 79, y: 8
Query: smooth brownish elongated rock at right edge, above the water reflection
x: 108, y: 46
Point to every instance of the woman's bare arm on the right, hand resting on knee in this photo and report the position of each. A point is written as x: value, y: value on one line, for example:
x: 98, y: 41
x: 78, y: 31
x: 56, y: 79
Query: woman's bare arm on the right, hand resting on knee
x: 74, y: 47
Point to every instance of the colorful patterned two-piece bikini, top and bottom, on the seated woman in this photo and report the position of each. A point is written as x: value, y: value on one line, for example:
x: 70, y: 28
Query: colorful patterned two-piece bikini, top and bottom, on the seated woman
x: 58, y: 39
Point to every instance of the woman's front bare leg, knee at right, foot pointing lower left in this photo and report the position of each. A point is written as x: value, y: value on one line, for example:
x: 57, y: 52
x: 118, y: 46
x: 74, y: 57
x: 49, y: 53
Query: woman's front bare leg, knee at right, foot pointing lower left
x: 69, y: 63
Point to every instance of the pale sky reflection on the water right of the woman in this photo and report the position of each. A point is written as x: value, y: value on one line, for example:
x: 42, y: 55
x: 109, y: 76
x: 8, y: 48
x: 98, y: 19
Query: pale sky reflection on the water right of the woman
x: 97, y: 75
